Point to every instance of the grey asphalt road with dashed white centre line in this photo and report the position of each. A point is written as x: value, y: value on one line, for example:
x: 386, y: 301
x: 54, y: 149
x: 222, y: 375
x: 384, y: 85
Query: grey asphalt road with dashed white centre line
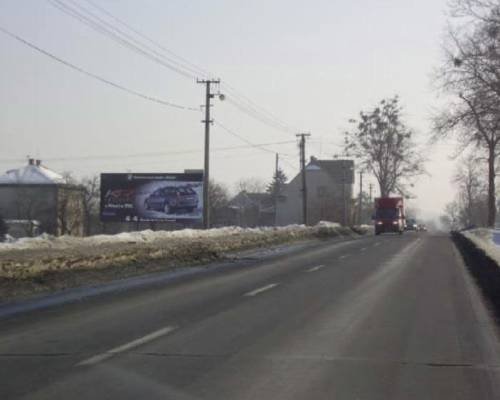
x: 388, y: 317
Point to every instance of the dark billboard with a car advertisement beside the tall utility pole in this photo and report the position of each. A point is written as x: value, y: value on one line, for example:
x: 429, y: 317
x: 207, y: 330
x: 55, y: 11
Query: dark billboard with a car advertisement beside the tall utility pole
x: 151, y: 197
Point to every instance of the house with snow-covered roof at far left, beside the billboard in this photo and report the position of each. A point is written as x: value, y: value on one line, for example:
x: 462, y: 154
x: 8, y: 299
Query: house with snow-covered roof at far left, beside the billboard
x: 43, y: 199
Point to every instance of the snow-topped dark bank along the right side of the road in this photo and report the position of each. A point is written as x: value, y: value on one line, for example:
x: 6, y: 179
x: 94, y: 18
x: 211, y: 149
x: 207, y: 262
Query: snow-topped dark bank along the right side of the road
x: 481, y: 254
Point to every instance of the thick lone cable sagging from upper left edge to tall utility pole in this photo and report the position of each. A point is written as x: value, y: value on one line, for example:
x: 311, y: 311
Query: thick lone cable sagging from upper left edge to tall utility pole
x: 94, y: 76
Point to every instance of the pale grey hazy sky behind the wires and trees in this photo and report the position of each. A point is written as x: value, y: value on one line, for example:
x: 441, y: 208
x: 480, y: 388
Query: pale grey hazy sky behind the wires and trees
x: 312, y: 64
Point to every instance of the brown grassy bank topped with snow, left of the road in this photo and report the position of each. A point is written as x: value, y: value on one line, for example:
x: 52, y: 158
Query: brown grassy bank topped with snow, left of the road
x: 49, y: 263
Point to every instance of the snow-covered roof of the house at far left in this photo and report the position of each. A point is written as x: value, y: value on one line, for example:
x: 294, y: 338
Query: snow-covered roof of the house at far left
x: 32, y: 174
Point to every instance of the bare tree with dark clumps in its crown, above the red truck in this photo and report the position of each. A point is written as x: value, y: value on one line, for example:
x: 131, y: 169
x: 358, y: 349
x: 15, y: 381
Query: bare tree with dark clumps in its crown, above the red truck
x: 384, y: 145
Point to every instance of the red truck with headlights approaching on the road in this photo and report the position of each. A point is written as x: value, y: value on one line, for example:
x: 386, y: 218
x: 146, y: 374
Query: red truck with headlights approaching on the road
x: 389, y: 215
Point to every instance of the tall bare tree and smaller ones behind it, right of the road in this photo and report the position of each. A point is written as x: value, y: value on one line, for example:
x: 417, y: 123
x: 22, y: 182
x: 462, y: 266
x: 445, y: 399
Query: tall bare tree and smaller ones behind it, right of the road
x: 470, y: 78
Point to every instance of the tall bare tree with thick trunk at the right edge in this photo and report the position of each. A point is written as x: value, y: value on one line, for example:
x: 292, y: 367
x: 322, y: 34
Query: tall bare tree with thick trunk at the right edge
x: 470, y: 73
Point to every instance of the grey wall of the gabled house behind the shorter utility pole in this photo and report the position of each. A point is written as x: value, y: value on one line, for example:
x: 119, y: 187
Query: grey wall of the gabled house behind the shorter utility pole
x: 324, y: 199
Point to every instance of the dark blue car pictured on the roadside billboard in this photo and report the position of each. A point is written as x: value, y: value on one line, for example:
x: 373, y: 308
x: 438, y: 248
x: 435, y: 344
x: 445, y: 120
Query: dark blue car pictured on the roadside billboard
x: 170, y: 198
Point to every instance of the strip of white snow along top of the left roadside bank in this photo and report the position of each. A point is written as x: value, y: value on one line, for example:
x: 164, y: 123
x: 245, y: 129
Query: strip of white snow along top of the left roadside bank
x: 46, y: 241
